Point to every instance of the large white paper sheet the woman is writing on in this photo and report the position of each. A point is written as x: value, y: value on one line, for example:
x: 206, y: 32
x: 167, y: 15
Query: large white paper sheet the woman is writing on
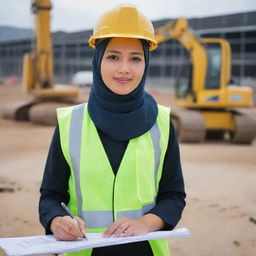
x: 36, y: 245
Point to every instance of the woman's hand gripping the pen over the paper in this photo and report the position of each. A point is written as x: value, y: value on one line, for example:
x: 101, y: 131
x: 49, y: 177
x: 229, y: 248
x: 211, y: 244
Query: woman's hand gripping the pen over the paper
x: 67, y: 229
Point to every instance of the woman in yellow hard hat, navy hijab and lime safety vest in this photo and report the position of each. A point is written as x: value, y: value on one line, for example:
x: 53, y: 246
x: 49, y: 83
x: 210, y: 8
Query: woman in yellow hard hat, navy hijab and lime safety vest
x: 115, y: 161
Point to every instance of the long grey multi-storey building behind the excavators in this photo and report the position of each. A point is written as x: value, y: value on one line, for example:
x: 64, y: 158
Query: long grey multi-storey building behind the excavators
x: 72, y: 52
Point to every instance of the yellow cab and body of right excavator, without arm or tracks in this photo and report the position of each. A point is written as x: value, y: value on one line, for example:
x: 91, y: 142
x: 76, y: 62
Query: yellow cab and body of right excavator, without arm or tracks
x: 205, y: 82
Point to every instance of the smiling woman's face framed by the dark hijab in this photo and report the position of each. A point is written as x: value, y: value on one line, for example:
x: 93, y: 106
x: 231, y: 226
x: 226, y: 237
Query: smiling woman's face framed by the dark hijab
x: 123, y: 65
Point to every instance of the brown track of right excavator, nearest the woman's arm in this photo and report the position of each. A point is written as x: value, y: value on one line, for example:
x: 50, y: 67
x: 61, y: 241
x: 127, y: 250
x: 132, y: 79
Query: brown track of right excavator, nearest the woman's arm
x: 189, y: 125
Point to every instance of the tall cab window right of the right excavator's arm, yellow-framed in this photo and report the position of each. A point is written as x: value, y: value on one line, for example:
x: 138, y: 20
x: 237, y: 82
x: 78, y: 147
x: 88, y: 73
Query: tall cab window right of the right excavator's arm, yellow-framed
x: 214, y: 66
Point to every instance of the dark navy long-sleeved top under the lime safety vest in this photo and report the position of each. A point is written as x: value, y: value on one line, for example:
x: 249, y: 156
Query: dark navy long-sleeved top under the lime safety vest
x: 170, y: 200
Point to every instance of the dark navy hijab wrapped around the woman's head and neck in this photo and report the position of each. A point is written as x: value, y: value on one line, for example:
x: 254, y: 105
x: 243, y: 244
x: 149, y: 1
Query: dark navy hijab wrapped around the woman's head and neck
x: 122, y: 117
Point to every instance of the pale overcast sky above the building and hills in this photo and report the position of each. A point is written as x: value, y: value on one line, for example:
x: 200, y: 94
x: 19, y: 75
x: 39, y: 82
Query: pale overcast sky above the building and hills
x: 76, y: 15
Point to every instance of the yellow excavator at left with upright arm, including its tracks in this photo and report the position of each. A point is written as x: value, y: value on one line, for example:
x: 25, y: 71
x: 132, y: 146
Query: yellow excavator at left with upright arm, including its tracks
x: 37, y: 76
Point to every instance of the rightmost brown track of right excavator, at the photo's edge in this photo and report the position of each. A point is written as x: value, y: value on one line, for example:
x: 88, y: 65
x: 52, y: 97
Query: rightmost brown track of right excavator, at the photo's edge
x: 245, y: 130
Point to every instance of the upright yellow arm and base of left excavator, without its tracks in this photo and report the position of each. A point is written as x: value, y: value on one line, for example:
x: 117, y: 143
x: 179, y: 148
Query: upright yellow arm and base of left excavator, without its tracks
x: 38, y: 65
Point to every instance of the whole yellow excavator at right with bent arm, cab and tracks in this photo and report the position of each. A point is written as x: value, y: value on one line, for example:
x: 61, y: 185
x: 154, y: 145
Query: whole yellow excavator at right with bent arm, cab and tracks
x: 206, y: 104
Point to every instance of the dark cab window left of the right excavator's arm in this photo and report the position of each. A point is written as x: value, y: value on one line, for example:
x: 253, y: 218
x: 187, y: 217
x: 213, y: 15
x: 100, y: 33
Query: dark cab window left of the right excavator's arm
x: 184, y: 82
